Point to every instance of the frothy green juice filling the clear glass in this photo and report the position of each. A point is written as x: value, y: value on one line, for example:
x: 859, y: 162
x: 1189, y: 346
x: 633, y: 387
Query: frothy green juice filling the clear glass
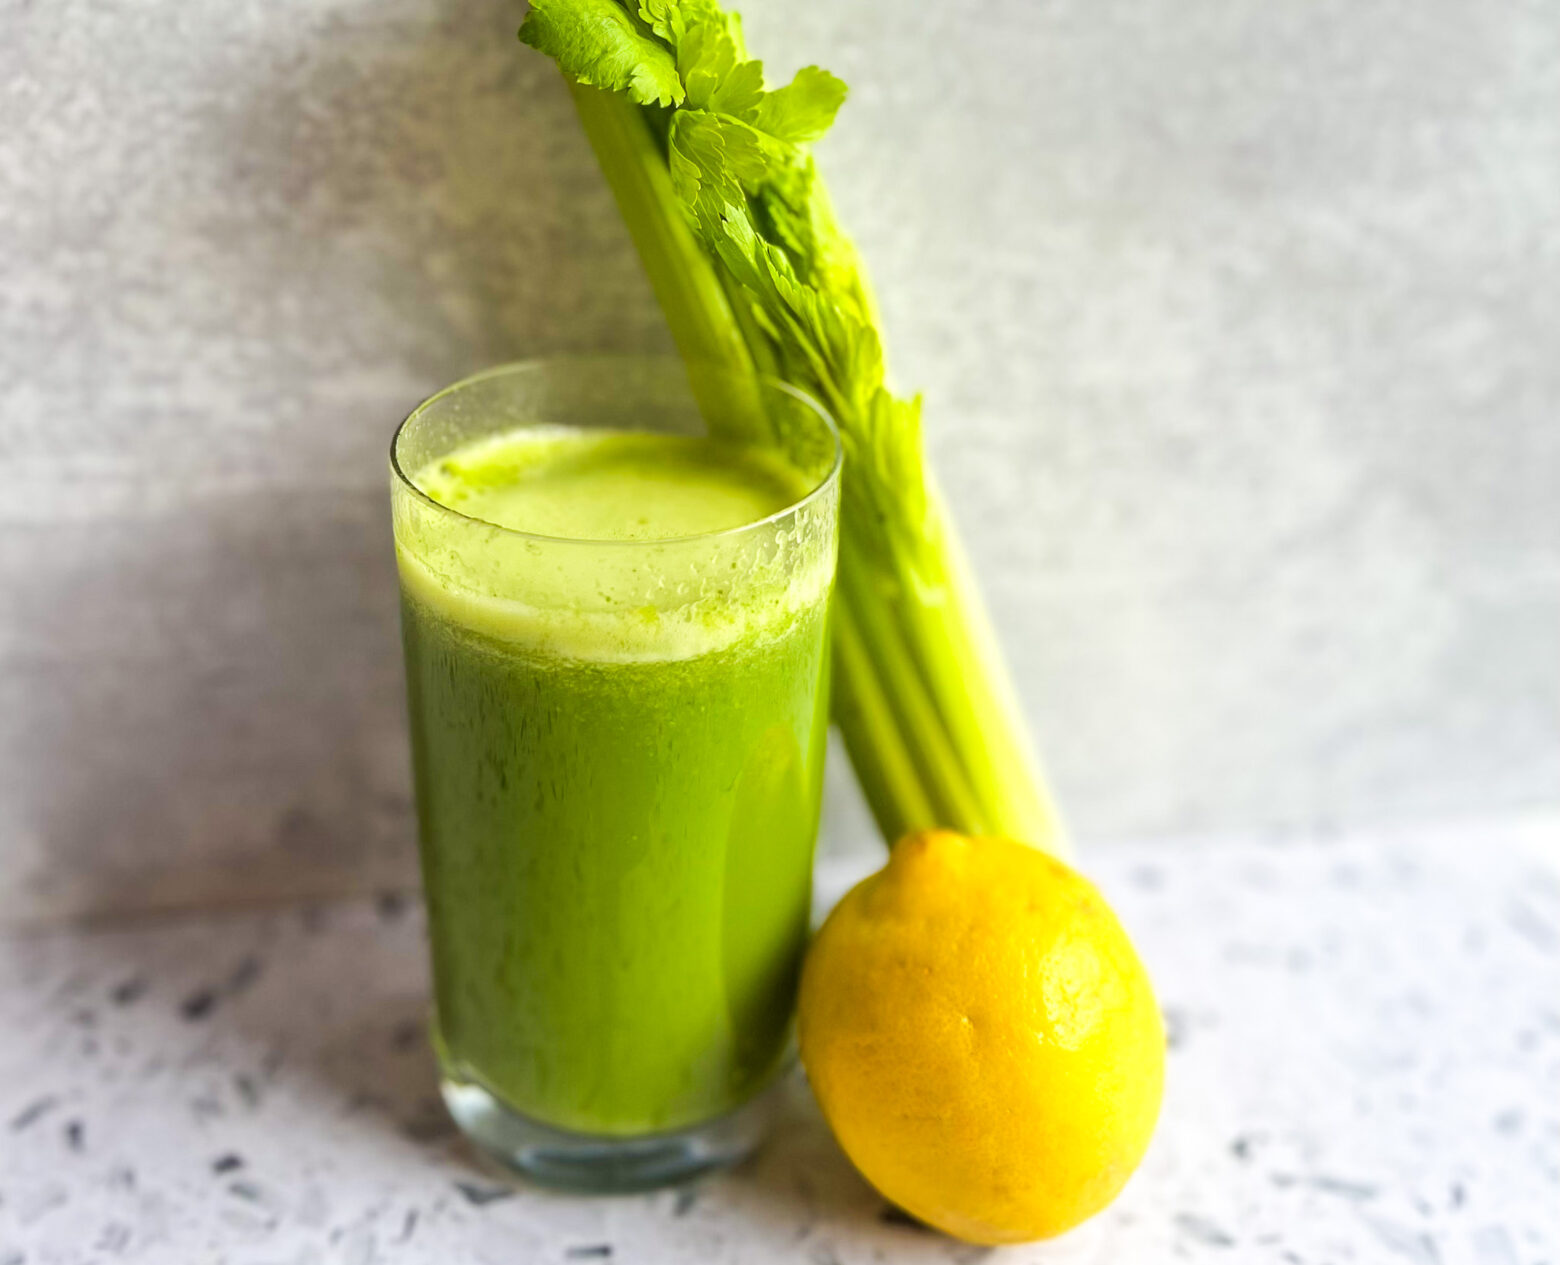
x: 619, y: 712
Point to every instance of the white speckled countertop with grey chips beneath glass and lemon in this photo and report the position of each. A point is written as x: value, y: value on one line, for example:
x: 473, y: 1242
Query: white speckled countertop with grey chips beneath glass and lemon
x: 1366, y: 1066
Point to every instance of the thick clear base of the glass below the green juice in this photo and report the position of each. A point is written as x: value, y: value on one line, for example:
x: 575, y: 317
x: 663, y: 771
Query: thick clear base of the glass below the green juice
x: 597, y: 1164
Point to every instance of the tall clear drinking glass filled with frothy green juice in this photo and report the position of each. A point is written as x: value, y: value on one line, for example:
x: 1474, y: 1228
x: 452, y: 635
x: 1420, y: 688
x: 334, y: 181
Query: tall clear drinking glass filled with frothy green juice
x: 619, y: 749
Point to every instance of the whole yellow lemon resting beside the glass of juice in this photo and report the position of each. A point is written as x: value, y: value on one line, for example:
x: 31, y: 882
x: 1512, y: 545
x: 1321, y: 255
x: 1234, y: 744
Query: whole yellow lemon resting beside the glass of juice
x: 984, y: 1040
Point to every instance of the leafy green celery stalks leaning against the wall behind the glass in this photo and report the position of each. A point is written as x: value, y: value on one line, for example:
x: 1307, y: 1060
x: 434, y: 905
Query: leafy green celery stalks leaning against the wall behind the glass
x: 723, y: 202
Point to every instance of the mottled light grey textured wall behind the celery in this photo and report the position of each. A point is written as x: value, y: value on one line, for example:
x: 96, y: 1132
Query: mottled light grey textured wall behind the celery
x: 1239, y: 325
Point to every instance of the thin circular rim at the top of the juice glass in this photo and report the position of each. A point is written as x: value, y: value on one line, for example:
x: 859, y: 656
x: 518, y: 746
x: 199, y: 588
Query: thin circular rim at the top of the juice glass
x: 511, y: 367
